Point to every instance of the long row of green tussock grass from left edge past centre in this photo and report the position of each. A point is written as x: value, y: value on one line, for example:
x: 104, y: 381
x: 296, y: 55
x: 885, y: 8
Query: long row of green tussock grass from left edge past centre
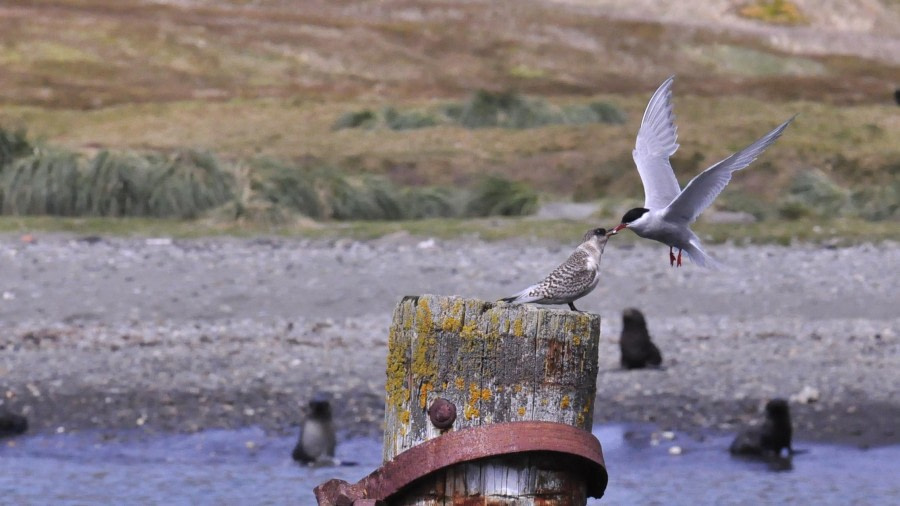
x: 188, y: 184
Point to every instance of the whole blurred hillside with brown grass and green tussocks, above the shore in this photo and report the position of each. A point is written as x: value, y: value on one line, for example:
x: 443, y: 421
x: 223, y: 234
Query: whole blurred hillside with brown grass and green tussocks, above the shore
x: 283, y: 112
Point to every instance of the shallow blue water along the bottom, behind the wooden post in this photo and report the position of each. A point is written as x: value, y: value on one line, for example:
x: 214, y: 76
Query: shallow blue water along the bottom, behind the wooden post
x: 249, y: 467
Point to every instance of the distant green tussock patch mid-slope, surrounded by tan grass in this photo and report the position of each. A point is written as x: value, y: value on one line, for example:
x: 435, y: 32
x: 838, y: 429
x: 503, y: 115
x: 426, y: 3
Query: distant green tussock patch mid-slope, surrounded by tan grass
x: 486, y: 109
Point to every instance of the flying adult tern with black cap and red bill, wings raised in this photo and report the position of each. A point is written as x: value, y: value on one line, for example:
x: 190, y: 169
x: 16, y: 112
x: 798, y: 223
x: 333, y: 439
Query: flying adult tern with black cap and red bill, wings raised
x: 668, y: 210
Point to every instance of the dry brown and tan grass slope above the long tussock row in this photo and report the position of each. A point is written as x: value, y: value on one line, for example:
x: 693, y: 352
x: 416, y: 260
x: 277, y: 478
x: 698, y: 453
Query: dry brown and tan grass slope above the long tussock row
x: 270, y: 78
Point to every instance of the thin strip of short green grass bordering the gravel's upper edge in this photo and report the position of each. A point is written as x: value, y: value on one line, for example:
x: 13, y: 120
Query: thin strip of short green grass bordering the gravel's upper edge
x: 834, y: 232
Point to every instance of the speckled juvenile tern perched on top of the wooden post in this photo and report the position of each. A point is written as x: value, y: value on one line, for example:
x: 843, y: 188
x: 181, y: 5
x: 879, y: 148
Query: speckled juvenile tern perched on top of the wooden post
x: 572, y: 280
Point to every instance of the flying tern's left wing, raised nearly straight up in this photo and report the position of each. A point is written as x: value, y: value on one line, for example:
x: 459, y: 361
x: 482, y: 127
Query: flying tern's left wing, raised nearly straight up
x: 655, y: 144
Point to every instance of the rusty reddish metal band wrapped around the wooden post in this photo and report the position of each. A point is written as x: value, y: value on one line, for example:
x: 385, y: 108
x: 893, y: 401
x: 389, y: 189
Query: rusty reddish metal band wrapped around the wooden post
x: 467, y: 445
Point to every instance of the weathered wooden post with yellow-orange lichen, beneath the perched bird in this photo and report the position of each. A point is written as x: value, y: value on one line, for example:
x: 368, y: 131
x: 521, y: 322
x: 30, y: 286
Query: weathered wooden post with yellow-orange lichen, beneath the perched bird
x: 496, y: 363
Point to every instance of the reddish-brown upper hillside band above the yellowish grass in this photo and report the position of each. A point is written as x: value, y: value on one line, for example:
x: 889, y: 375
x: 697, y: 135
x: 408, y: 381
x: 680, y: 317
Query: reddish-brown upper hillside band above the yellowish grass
x: 94, y: 53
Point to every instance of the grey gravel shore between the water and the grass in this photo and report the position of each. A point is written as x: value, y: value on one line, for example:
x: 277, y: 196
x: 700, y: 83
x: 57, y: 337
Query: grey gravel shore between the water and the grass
x: 162, y: 334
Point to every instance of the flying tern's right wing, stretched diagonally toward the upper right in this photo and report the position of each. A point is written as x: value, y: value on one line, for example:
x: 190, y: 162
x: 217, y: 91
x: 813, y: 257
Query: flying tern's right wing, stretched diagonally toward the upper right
x: 706, y: 186
